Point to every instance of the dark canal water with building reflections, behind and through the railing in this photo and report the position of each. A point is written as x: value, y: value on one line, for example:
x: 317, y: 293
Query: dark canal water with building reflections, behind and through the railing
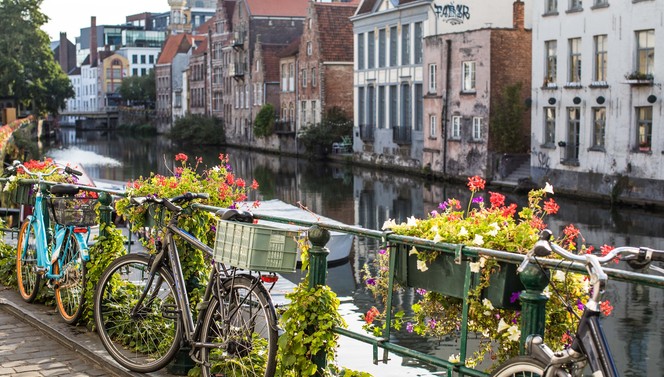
x: 367, y: 198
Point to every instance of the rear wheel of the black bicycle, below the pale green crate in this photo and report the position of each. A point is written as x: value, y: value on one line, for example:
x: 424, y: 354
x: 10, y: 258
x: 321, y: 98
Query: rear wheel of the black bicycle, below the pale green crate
x: 243, y: 329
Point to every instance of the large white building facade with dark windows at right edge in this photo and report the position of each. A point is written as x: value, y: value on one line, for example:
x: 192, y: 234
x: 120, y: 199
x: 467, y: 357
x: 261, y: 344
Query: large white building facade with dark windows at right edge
x: 597, y: 113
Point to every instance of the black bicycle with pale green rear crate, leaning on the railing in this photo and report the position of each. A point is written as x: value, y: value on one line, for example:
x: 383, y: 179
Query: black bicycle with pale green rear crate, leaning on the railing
x: 142, y: 310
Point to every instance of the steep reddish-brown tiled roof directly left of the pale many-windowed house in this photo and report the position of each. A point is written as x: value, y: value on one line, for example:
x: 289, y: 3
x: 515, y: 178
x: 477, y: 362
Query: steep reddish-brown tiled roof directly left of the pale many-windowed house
x: 335, y: 30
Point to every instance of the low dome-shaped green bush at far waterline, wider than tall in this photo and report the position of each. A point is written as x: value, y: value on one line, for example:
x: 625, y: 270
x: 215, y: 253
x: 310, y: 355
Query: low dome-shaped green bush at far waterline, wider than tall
x: 198, y: 129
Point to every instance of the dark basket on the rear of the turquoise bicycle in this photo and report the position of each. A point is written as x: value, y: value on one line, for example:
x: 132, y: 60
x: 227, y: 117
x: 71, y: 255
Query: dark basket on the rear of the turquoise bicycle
x: 73, y: 211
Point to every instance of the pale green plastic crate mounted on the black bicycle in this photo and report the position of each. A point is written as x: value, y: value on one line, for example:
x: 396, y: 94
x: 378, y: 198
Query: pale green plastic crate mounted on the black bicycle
x: 255, y: 247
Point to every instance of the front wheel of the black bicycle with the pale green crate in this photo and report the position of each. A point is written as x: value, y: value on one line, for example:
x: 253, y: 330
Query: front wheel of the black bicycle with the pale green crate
x: 141, y: 338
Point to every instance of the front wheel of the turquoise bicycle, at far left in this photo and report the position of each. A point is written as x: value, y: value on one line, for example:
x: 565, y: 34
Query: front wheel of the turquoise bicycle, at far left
x: 26, y: 262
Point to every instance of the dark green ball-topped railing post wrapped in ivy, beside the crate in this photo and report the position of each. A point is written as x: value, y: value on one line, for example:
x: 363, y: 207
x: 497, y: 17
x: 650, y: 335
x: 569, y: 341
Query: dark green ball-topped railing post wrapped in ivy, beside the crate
x: 318, y: 275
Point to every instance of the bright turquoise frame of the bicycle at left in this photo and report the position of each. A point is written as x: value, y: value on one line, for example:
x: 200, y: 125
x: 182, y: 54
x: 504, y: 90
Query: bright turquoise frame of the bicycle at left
x: 45, y: 260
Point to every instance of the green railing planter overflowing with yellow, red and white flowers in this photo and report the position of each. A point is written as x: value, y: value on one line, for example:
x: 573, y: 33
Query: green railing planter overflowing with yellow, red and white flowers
x: 493, y: 298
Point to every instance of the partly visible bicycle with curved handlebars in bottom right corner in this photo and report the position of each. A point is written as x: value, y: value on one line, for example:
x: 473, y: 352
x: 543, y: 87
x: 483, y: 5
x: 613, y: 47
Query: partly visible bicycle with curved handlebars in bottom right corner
x: 589, y: 347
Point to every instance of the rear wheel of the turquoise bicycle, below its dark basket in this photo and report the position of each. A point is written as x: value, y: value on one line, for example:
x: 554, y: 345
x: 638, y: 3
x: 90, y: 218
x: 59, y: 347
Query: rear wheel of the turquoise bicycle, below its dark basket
x: 70, y: 288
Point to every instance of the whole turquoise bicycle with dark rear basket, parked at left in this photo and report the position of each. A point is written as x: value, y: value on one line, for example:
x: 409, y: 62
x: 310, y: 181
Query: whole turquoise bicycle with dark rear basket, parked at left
x: 57, y: 253
